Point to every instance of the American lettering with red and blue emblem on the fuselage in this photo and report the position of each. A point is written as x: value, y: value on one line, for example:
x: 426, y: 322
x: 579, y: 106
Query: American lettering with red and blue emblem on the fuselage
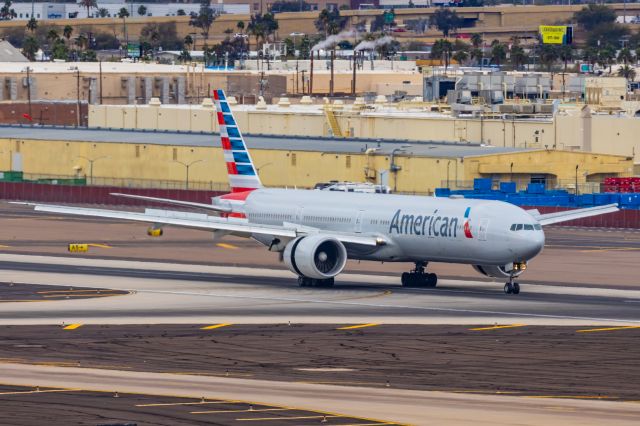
x: 432, y: 225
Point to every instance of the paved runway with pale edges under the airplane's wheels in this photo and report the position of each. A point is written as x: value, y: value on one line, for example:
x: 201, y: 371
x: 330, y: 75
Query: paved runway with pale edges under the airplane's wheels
x: 166, y: 293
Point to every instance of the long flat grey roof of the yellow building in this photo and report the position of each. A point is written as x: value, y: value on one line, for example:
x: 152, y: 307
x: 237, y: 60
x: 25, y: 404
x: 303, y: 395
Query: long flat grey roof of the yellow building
x: 293, y: 143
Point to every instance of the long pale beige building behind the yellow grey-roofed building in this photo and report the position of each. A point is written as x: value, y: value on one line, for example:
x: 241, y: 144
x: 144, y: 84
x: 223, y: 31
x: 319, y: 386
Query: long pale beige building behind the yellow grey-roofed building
x: 573, y: 128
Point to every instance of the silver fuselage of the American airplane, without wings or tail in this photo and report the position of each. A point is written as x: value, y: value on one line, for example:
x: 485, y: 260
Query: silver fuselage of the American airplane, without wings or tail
x: 416, y: 228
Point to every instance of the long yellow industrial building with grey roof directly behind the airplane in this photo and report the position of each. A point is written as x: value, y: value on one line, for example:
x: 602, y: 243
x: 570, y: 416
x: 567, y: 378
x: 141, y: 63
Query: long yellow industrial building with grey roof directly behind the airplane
x: 135, y: 158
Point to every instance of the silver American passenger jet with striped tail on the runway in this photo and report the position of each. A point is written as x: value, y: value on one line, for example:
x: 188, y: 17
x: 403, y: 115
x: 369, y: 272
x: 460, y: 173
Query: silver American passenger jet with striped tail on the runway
x: 316, y: 231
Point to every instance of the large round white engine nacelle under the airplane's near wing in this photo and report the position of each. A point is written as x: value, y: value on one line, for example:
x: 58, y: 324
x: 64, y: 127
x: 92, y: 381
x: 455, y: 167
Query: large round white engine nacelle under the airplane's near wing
x: 316, y: 256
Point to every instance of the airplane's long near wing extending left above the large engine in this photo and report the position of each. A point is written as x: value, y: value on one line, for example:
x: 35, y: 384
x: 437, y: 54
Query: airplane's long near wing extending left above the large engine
x: 210, y: 223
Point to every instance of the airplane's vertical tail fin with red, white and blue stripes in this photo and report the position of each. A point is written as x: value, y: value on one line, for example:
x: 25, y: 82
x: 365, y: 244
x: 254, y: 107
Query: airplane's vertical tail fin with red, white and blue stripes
x: 242, y: 173
